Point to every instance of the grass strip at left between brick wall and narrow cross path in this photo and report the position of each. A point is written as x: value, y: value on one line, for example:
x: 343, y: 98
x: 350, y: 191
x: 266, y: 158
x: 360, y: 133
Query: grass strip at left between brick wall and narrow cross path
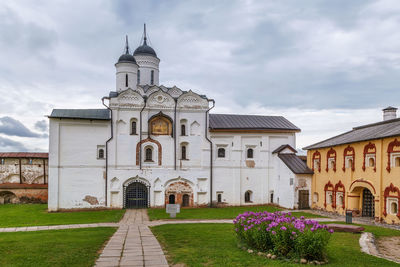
x: 36, y: 214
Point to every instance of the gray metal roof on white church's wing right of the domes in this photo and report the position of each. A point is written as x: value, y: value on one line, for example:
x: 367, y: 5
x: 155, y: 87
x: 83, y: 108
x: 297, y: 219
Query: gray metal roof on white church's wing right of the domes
x: 250, y: 122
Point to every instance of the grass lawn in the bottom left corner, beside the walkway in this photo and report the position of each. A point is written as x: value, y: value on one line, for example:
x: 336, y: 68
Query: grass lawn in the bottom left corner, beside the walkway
x: 75, y: 247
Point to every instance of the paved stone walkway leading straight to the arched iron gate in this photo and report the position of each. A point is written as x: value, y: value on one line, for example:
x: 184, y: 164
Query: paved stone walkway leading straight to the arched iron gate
x: 133, y: 244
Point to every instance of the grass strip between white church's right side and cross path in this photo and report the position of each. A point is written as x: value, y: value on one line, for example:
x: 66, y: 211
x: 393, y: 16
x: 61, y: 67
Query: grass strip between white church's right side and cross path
x: 217, y: 213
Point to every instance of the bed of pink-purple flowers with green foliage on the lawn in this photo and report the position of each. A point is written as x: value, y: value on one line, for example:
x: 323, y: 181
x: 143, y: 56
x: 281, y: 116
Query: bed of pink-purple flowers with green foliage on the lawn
x: 283, y: 235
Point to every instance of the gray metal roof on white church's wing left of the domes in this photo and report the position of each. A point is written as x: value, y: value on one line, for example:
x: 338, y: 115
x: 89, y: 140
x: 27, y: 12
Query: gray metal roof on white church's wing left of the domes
x: 89, y: 114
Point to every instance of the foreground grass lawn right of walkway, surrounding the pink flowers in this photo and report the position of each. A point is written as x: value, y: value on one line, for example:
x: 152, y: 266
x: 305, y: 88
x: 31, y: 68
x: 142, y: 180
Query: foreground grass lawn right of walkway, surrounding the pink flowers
x: 215, y: 245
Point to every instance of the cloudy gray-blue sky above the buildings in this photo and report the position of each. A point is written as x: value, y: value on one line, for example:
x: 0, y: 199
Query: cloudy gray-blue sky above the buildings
x: 325, y: 65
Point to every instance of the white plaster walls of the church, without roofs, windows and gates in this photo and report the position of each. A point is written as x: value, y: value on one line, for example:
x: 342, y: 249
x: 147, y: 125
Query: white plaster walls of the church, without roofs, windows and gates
x: 79, y: 178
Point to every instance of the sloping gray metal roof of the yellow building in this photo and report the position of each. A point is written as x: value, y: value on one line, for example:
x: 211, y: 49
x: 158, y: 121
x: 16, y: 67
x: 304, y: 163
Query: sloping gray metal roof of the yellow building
x: 362, y: 133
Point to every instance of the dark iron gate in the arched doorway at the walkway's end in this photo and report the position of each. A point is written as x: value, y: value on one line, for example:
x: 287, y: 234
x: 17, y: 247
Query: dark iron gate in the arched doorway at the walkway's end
x: 136, y: 196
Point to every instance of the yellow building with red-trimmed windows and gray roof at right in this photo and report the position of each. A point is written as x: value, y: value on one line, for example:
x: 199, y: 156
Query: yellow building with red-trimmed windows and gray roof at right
x: 359, y: 170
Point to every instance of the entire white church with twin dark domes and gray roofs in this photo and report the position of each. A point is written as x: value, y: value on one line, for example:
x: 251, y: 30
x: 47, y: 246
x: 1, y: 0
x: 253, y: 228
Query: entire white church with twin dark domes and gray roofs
x: 153, y: 145
